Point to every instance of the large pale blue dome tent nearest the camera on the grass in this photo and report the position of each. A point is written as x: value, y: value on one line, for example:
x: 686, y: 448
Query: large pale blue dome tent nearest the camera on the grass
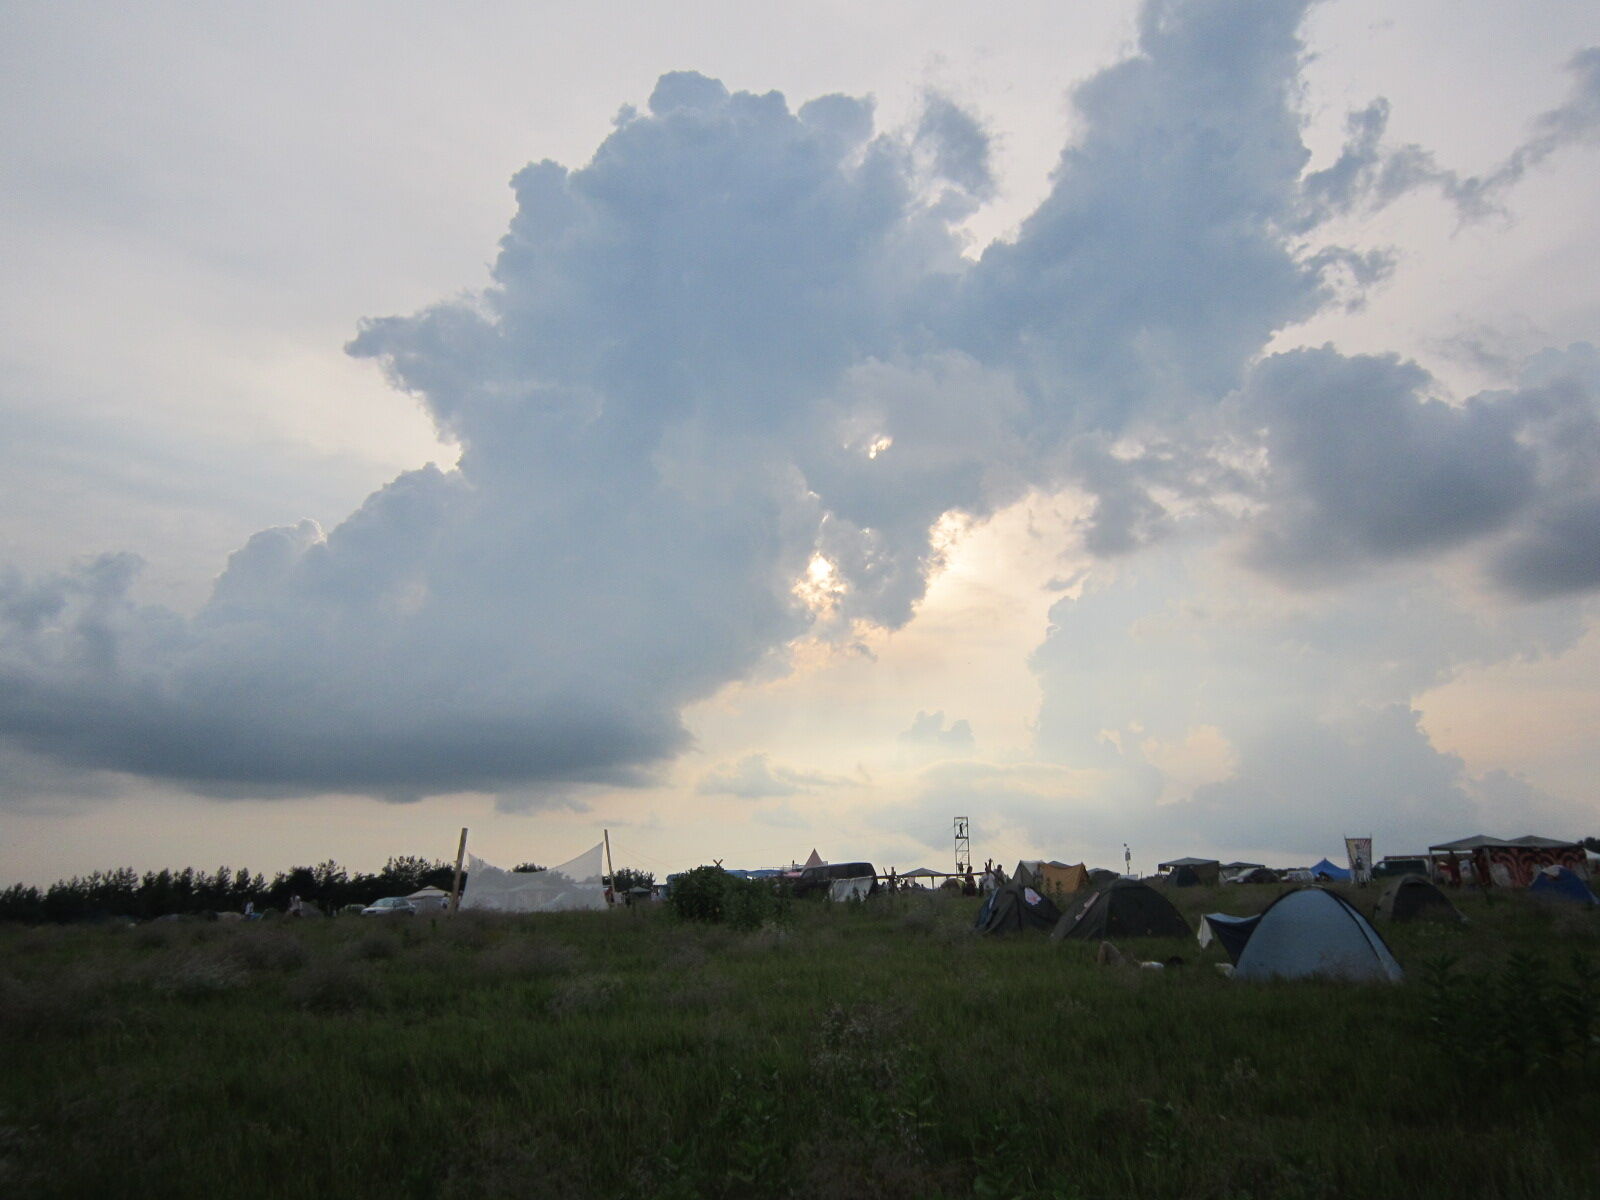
x: 1316, y: 934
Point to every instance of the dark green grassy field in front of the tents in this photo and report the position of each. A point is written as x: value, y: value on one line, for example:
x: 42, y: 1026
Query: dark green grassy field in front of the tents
x: 873, y: 1049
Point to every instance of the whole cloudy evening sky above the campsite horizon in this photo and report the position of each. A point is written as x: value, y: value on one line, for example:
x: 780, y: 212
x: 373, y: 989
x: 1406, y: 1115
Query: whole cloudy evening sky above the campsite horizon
x: 746, y: 430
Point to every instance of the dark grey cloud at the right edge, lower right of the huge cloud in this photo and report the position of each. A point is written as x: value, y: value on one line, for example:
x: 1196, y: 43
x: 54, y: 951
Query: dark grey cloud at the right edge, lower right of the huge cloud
x: 1364, y: 468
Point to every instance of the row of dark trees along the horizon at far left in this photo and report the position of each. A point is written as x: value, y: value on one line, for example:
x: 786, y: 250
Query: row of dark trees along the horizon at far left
x: 161, y: 894
